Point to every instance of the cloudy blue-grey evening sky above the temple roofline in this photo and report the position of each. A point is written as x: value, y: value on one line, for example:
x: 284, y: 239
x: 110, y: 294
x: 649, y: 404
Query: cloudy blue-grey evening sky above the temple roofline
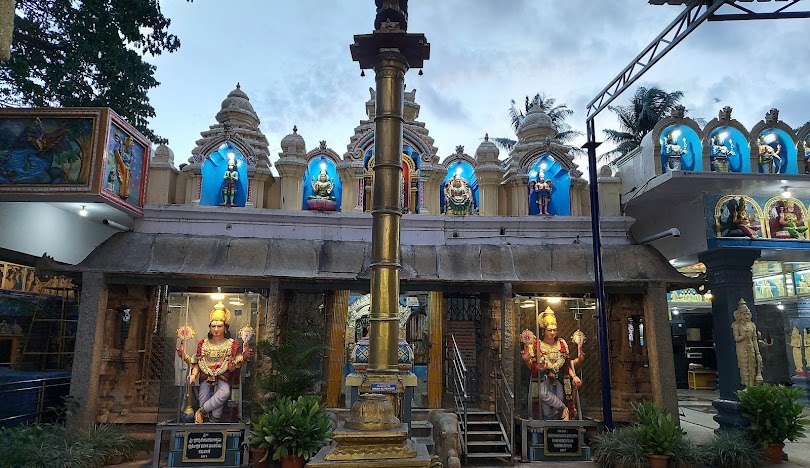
x: 292, y: 59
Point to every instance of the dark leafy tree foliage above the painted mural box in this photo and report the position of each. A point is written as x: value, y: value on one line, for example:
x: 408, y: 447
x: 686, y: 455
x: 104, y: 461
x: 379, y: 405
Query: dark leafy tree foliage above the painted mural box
x: 87, y: 53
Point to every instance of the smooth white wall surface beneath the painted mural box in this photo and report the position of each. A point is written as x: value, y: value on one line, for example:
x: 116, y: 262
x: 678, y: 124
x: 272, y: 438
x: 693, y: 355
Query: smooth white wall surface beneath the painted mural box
x: 38, y: 228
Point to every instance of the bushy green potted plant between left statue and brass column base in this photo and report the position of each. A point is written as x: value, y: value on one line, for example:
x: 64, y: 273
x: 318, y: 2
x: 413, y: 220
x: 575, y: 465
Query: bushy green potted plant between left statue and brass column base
x: 292, y: 430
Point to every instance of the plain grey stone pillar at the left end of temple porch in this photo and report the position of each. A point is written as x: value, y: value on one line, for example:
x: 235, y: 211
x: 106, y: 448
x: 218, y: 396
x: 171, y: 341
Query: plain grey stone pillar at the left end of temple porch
x: 84, y: 380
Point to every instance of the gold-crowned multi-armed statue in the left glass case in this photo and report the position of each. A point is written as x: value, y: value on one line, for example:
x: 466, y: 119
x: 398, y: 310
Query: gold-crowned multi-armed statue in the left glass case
x: 216, y: 358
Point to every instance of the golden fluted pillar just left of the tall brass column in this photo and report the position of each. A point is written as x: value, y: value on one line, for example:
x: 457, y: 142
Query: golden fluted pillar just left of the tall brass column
x: 337, y: 304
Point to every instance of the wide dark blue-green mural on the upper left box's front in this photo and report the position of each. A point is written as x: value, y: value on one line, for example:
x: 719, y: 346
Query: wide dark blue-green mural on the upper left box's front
x: 47, y: 151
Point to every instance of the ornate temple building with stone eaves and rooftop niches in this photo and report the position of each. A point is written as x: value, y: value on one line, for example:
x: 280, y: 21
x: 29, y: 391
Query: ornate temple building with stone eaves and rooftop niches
x: 494, y: 248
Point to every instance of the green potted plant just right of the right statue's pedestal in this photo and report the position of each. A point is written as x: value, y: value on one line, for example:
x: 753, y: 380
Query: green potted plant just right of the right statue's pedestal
x: 658, y: 435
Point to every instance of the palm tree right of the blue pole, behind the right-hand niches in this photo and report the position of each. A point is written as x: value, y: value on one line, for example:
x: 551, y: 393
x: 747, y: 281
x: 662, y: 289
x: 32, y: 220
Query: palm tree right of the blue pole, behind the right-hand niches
x: 647, y: 107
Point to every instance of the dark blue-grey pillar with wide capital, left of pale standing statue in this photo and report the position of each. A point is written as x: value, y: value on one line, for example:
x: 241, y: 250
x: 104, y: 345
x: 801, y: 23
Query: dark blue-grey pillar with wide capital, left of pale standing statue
x: 730, y: 279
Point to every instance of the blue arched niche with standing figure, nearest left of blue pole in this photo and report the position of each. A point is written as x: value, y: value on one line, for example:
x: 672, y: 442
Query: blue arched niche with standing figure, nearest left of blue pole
x: 549, y: 189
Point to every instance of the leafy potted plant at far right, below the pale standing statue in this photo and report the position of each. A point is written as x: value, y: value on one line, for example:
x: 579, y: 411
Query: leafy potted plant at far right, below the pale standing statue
x: 774, y: 415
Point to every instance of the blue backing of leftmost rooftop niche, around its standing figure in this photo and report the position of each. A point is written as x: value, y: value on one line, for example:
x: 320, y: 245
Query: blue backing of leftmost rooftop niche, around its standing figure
x: 213, y: 171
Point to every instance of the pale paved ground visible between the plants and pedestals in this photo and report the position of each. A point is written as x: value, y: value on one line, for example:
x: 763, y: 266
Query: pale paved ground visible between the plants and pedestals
x: 696, y: 420
